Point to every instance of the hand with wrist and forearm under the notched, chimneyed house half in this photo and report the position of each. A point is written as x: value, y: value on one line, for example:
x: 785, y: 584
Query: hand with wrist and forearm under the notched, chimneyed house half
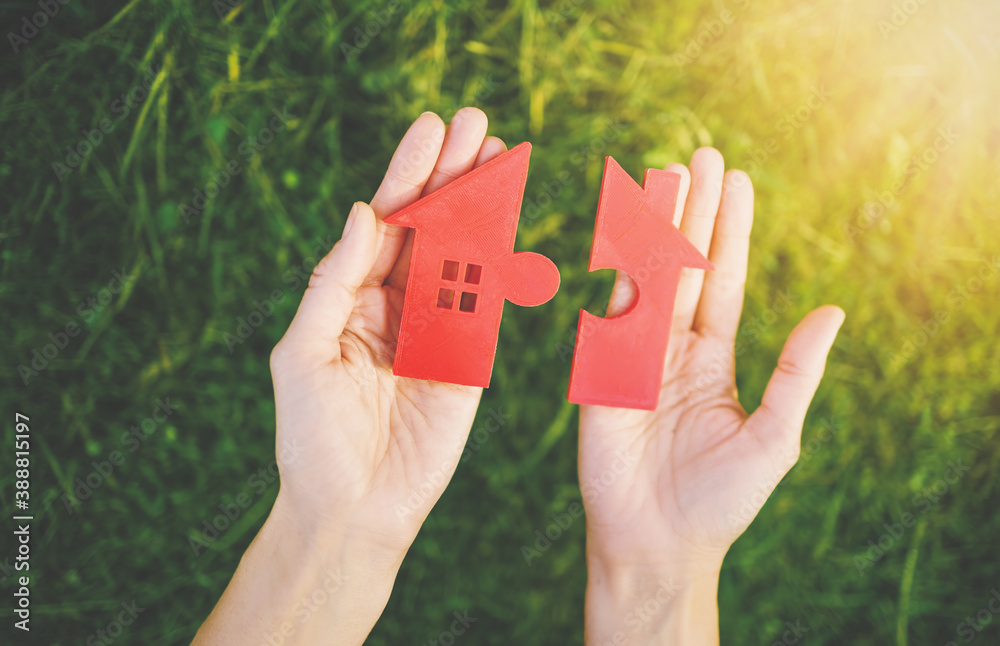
x: 683, y: 477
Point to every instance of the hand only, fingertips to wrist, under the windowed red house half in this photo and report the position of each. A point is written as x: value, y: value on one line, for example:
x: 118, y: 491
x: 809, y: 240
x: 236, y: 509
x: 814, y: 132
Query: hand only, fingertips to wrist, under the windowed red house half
x: 362, y: 447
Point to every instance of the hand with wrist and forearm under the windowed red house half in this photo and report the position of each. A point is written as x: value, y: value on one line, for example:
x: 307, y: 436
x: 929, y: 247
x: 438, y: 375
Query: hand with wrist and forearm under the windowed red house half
x: 363, y: 455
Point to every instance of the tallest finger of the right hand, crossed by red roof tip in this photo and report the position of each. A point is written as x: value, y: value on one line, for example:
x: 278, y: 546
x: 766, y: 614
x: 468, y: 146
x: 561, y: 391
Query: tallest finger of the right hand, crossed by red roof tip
x: 697, y: 223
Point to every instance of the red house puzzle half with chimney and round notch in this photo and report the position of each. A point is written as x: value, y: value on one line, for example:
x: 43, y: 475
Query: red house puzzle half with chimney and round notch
x: 618, y: 361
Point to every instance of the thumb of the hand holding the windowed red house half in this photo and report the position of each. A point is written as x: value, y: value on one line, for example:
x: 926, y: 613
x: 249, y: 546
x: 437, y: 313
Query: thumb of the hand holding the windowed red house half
x: 329, y: 298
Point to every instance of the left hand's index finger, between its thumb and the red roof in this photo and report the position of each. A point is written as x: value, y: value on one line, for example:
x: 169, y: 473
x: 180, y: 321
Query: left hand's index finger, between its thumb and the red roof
x: 410, y: 168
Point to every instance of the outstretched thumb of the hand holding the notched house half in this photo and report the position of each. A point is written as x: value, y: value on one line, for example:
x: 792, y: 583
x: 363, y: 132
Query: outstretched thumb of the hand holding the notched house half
x: 793, y: 384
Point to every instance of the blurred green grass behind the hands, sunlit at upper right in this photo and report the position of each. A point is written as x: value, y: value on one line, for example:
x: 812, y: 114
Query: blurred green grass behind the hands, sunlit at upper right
x: 645, y: 80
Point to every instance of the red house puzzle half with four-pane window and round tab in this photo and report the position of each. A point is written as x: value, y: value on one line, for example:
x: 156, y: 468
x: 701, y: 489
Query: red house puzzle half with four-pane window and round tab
x: 462, y: 268
